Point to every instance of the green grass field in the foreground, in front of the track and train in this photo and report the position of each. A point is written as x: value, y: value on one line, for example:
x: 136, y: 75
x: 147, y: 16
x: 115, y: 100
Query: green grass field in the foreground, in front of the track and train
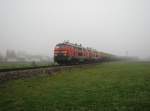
x: 115, y: 86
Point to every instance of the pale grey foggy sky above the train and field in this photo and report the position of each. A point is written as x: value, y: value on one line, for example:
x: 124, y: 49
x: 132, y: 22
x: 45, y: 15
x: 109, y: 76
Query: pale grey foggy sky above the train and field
x: 114, y: 26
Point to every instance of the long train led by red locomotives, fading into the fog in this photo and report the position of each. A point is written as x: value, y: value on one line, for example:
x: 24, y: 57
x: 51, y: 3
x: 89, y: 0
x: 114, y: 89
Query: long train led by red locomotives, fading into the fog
x: 69, y: 53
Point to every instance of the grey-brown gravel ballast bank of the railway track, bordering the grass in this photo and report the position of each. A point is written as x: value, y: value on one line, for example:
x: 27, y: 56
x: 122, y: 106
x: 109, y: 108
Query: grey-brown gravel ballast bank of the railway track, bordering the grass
x: 17, y: 73
